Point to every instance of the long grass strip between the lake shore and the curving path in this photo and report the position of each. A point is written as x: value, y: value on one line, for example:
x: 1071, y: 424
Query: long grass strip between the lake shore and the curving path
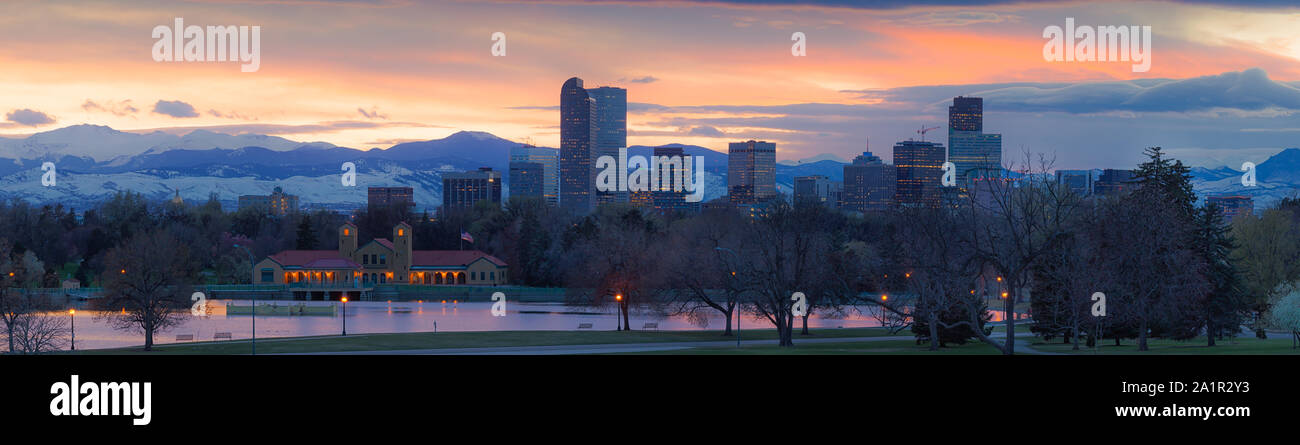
x: 450, y: 340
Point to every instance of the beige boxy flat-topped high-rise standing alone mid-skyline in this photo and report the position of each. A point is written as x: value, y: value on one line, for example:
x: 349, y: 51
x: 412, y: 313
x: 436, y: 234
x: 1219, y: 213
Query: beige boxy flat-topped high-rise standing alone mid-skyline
x: 752, y: 172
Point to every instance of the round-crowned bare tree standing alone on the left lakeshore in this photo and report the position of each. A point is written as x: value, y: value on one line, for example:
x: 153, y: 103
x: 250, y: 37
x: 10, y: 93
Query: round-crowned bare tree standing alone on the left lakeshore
x: 148, y: 279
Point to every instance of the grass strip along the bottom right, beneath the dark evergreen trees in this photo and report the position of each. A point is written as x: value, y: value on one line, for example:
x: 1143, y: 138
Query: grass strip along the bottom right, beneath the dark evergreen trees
x: 1195, y: 347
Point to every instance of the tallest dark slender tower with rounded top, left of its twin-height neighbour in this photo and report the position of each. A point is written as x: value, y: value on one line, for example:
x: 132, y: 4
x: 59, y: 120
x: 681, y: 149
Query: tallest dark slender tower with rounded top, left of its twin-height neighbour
x: 578, y: 148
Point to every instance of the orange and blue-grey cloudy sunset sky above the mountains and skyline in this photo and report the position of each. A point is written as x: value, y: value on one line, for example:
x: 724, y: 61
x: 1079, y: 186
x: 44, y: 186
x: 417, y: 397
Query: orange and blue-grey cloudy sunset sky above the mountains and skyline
x: 1224, y: 84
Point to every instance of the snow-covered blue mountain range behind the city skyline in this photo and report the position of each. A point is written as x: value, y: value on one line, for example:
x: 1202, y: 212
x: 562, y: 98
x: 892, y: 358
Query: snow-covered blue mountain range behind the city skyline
x: 97, y: 162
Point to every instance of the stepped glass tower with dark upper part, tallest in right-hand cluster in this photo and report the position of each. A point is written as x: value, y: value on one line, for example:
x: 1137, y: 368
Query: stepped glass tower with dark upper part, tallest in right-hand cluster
x: 974, y: 153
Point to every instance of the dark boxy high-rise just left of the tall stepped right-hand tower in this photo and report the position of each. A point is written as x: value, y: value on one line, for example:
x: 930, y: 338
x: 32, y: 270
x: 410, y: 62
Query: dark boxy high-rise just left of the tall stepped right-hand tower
x: 921, y: 169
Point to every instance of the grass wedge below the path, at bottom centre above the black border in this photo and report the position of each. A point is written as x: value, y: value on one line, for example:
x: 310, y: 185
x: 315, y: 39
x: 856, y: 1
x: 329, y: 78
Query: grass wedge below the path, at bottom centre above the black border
x: 856, y: 348
